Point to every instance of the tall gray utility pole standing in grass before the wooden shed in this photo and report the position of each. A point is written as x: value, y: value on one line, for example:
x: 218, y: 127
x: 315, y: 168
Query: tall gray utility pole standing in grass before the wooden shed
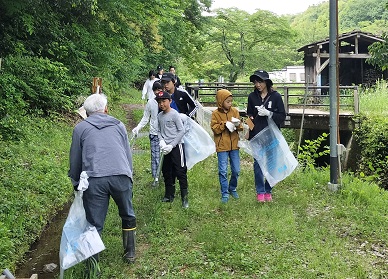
x: 333, y: 52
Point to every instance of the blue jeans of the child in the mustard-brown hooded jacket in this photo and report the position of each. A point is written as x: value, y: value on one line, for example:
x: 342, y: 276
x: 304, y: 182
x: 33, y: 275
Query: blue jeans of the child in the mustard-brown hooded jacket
x: 234, y: 158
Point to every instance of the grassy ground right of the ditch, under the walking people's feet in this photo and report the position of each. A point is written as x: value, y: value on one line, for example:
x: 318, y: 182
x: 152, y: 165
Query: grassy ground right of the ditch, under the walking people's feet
x: 307, y: 232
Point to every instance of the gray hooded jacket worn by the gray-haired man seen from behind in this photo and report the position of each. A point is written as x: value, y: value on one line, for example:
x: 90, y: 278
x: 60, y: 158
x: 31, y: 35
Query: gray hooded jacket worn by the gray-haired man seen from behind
x: 100, y: 147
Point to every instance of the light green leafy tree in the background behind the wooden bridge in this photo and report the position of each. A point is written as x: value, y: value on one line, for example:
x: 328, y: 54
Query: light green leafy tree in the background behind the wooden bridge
x: 239, y: 43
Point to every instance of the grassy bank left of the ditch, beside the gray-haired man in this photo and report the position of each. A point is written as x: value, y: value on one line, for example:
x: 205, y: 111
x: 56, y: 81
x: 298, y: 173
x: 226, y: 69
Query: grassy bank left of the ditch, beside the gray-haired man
x: 34, y: 184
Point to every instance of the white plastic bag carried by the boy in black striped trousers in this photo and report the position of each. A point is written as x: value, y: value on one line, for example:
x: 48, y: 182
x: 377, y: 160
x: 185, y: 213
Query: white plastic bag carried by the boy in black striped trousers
x: 197, y: 142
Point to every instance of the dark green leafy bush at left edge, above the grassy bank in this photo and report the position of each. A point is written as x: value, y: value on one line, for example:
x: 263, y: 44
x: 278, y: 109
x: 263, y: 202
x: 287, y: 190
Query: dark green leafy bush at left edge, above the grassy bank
x: 39, y: 85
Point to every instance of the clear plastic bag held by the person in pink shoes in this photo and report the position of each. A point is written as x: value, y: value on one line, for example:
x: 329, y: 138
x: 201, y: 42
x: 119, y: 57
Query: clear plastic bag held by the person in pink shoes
x: 272, y: 153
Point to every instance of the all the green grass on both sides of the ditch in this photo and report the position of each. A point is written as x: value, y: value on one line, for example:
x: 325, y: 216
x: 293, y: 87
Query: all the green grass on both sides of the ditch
x: 306, y: 232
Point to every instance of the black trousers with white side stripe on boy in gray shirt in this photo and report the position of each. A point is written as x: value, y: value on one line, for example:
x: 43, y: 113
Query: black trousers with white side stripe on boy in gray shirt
x: 174, y: 166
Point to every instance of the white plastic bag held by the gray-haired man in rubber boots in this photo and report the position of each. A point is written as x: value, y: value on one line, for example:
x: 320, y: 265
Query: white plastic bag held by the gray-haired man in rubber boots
x: 80, y: 240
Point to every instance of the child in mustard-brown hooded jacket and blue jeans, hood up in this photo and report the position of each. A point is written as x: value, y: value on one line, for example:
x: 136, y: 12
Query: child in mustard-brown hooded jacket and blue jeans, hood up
x: 225, y: 124
